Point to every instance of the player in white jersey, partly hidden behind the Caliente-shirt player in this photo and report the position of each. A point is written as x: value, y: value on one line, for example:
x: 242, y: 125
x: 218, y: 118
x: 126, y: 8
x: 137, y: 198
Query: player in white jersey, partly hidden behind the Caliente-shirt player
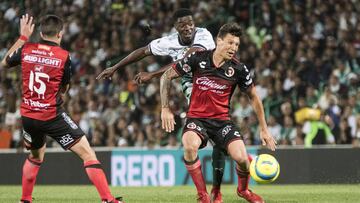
x: 186, y: 40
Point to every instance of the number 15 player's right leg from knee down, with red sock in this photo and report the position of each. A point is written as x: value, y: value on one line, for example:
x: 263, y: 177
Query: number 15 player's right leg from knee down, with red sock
x: 94, y: 170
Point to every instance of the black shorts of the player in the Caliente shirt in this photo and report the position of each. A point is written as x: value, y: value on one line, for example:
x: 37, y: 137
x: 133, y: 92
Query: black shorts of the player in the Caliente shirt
x: 221, y: 132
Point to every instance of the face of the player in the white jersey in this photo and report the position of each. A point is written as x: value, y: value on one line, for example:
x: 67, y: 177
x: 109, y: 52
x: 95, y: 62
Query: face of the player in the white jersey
x: 186, y: 27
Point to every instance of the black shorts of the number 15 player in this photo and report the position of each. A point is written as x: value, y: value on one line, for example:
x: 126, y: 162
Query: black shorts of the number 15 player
x: 61, y: 128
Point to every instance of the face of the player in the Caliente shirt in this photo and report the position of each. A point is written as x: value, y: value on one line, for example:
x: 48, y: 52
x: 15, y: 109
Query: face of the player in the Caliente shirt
x: 228, y: 46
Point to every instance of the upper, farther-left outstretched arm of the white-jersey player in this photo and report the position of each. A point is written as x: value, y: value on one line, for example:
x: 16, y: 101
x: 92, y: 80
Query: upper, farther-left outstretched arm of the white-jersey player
x: 134, y: 56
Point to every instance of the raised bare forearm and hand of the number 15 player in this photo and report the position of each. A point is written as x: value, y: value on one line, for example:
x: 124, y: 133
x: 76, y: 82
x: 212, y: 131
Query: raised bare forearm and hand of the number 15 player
x: 26, y: 29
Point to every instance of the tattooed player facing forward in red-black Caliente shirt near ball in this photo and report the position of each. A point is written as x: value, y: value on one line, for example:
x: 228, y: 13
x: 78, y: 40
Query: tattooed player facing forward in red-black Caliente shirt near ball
x: 216, y: 74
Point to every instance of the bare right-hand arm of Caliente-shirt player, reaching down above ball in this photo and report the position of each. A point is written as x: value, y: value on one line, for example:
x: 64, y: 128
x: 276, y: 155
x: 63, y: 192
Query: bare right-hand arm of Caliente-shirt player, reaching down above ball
x: 266, y: 138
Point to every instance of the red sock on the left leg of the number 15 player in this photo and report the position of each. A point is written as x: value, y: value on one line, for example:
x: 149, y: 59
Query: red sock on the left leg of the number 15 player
x: 30, y: 170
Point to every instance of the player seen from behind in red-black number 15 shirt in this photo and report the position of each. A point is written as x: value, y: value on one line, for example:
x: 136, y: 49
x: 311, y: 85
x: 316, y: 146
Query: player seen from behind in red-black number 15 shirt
x: 46, y: 70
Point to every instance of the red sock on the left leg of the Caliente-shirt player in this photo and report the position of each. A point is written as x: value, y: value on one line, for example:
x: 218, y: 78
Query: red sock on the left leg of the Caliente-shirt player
x: 194, y: 169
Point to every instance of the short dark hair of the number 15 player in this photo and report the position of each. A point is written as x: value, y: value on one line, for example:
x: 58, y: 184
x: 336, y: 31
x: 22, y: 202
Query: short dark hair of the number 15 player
x: 51, y: 25
